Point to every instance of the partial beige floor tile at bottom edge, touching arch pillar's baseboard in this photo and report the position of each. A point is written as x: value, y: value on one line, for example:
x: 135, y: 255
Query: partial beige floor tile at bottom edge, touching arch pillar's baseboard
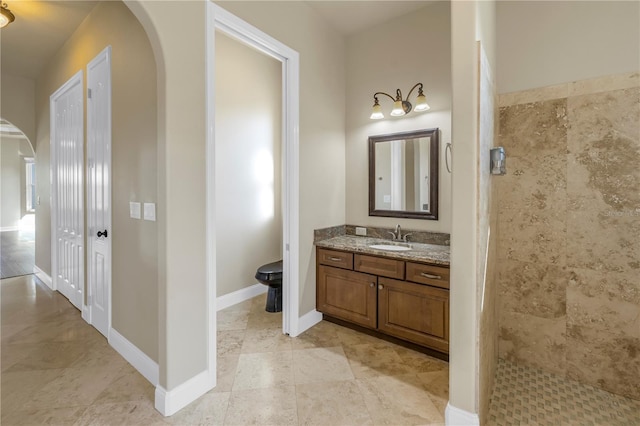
x: 209, y: 409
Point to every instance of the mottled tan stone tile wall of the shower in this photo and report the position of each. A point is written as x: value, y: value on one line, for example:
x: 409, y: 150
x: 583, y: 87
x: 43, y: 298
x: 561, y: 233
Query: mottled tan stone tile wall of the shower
x: 569, y: 231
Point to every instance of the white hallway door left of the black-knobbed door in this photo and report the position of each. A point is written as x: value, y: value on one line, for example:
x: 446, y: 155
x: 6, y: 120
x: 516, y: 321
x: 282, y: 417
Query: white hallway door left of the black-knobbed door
x: 67, y: 202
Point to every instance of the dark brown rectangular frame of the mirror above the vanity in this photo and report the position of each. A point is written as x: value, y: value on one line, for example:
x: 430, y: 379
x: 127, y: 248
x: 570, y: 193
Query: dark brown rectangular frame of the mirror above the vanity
x: 434, y: 157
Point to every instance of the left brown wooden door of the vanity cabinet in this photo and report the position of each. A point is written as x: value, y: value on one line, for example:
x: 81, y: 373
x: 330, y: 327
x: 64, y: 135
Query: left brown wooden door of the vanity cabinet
x: 347, y: 295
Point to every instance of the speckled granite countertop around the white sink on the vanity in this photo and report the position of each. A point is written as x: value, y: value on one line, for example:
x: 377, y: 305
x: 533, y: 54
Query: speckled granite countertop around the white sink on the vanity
x: 428, y: 253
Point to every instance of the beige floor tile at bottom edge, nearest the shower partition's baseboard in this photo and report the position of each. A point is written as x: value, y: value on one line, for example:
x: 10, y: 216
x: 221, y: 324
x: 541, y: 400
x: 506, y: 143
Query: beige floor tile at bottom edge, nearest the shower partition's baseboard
x: 399, y: 400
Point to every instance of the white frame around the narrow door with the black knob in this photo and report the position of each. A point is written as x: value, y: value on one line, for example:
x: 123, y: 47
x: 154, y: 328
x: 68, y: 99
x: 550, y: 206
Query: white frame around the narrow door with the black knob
x: 87, y: 312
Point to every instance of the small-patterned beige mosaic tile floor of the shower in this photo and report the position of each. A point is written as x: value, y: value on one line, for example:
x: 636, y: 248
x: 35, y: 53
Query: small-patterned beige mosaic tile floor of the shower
x: 527, y: 396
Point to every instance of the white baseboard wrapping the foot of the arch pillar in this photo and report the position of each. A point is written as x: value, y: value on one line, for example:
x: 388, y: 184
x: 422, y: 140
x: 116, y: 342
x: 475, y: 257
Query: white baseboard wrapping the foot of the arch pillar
x: 170, y: 402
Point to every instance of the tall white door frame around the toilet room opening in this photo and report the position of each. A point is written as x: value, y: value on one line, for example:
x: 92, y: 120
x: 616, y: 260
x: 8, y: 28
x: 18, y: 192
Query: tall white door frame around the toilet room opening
x: 234, y: 27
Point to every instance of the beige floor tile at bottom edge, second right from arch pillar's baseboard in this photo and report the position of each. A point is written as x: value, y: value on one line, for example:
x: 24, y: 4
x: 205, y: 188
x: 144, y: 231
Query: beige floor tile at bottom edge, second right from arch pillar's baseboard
x: 272, y: 406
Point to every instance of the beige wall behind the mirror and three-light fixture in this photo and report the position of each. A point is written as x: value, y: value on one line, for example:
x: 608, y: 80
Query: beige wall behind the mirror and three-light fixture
x: 398, y: 54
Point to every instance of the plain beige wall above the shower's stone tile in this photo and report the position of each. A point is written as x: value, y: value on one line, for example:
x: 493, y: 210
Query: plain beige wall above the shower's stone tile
x: 541, y: 43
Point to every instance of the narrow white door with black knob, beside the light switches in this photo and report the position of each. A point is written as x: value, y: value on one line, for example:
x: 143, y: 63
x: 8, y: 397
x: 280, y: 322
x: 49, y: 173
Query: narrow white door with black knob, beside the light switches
x: 99, y: 190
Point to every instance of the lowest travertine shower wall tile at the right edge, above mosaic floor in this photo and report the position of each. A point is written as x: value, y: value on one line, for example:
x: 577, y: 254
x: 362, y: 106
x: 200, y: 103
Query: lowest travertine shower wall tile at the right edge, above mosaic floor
x: 608, y: 360
